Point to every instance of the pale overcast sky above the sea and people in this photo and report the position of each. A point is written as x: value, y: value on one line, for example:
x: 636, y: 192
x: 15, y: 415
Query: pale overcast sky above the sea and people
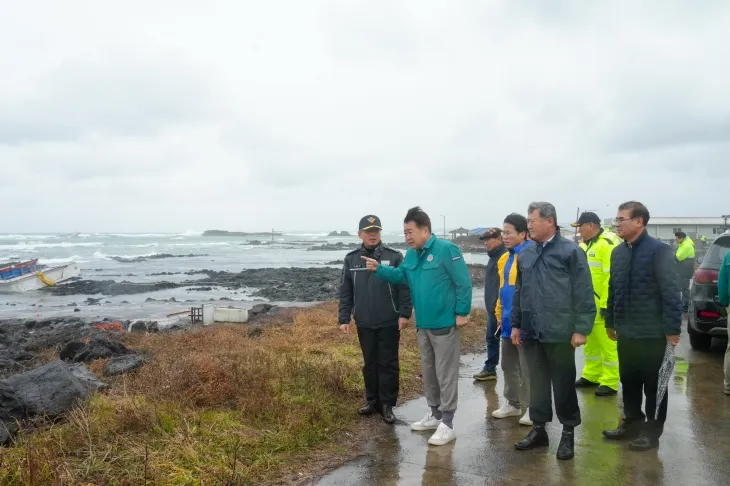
x: 306, y: 115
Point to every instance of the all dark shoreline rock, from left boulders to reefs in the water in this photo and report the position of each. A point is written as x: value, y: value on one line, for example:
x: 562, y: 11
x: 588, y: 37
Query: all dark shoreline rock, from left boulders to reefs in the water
x: 46, y: 354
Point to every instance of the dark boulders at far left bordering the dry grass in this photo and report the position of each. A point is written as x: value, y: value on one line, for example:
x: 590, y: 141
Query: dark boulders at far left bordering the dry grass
x: 41, y: 361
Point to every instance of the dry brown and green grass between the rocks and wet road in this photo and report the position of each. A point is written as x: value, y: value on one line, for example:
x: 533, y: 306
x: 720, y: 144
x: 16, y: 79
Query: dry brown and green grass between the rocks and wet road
x: 215, y: 406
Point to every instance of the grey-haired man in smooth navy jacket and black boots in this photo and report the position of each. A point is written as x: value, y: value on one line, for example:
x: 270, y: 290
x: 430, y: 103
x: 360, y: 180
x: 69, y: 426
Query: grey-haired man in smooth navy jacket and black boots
x: 553, y: 310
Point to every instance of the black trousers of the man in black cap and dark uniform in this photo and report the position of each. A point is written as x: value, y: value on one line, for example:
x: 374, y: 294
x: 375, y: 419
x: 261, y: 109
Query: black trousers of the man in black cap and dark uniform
x: 381, y: 370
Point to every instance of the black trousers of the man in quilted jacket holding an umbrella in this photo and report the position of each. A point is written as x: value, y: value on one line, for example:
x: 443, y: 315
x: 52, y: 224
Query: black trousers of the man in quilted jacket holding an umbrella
x: 639, y: 361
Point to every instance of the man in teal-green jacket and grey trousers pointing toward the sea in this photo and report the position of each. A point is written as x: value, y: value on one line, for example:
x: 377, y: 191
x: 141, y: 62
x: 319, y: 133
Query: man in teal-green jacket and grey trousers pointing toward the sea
x: 441, y: 293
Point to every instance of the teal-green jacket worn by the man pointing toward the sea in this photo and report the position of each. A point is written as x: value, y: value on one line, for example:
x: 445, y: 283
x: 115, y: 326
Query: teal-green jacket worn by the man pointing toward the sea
x: 439, y: 281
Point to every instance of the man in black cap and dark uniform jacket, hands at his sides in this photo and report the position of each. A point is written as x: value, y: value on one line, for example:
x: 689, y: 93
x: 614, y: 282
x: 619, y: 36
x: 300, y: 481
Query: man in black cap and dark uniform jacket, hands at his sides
x: 381, y: 310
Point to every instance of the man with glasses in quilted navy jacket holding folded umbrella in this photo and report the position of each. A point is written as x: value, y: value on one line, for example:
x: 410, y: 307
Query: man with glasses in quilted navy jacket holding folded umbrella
x: 644, y: 314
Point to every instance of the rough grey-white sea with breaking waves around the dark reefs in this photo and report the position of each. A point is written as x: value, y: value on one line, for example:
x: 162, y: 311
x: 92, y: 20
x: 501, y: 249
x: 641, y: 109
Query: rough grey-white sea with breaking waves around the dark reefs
x: 95, y: 254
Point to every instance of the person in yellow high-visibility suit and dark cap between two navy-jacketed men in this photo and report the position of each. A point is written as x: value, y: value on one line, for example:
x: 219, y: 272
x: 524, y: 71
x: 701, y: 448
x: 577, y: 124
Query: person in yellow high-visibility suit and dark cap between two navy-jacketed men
x: 601, y: 366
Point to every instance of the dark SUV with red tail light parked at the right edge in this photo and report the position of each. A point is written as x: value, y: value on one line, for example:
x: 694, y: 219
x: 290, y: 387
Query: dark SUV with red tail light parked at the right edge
x: 707, y: 318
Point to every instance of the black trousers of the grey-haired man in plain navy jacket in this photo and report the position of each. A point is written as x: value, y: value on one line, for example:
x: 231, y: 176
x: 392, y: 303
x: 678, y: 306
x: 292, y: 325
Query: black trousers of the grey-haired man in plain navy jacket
x: 552, y: 369
